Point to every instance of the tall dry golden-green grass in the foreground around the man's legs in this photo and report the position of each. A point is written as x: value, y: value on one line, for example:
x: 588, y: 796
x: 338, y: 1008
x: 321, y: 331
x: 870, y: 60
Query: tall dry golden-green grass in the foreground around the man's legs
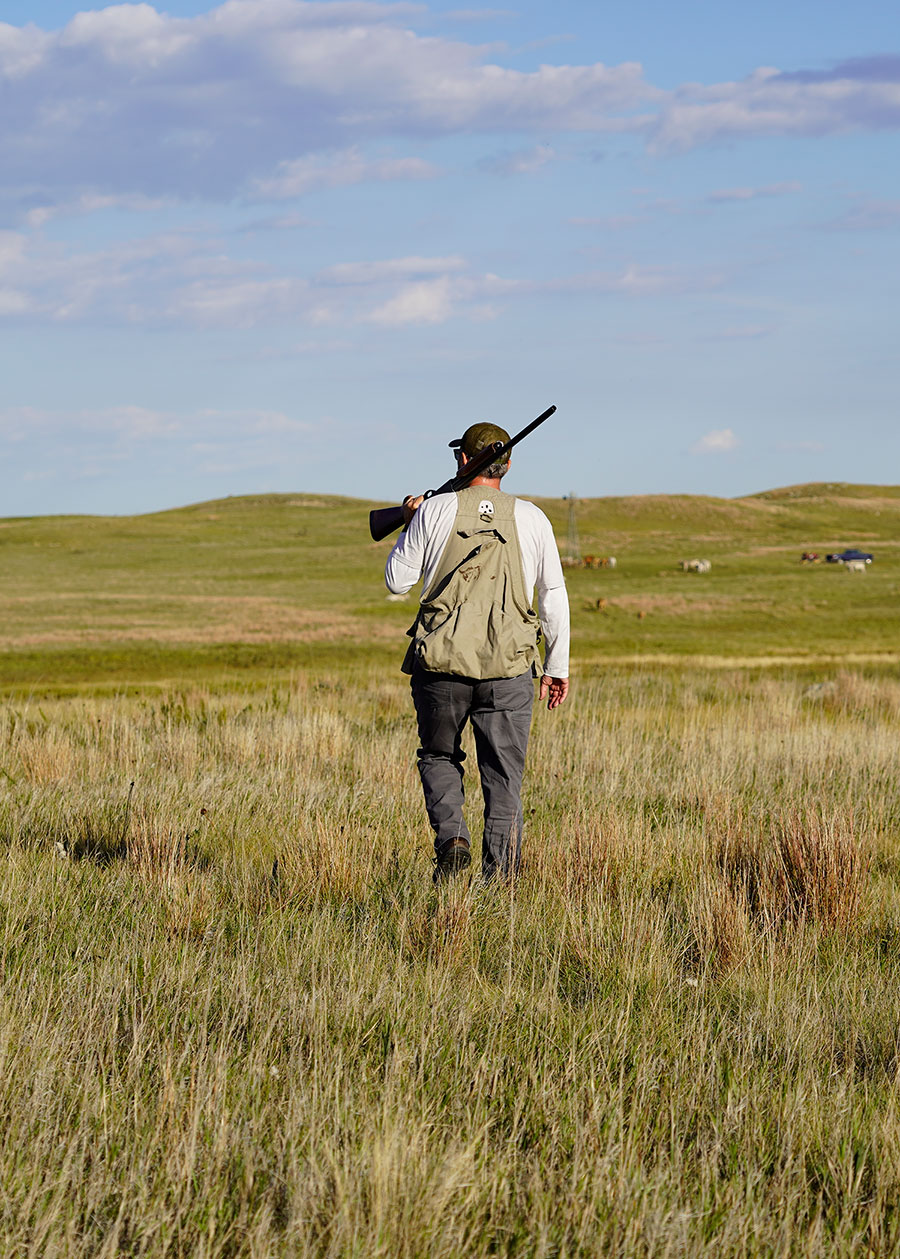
x: 236, y: 1019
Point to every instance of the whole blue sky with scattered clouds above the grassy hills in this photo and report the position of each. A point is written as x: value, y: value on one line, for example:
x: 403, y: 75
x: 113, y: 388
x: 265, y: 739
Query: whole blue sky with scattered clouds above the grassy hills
x: 275, y: 245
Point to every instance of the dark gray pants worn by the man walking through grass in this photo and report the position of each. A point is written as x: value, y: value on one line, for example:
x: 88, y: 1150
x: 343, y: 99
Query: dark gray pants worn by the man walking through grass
x: 500, y: 712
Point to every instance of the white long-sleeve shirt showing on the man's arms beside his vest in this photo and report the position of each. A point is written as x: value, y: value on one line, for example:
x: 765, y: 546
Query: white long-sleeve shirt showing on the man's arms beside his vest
x: 420, y: 548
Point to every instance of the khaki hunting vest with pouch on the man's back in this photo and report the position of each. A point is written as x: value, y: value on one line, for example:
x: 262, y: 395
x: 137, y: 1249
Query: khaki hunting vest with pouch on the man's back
x: 475, y: 619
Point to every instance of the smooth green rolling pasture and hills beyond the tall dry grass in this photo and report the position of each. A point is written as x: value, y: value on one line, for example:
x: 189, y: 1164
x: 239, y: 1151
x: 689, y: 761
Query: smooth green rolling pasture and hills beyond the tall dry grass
x: 256, y: 586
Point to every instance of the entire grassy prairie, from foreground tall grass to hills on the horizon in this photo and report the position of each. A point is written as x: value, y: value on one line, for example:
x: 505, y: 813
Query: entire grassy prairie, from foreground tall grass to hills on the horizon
x: 237, y: 1020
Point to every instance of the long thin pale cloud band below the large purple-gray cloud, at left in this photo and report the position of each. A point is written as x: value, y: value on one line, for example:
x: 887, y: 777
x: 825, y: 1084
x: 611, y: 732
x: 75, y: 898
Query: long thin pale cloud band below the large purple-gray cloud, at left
x: 191, y: 279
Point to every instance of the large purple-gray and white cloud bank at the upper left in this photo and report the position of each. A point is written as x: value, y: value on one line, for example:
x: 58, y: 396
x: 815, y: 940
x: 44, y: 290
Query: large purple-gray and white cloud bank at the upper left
x: 236, y: 101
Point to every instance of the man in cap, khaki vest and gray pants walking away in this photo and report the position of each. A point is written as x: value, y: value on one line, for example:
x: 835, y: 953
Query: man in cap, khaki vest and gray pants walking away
x: 474, y: 652
